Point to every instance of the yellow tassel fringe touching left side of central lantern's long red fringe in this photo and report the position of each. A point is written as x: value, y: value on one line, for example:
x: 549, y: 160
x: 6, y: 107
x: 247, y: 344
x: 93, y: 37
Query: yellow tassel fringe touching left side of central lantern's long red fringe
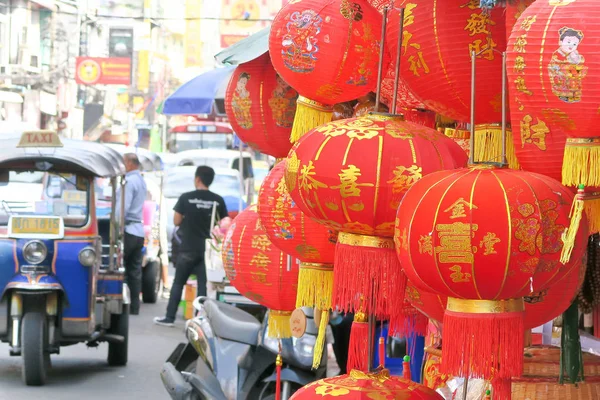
x: 315, y: 286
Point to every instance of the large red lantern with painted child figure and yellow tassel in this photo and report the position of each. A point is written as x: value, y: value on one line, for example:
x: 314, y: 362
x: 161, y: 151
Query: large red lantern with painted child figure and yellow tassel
x: 551, y: 49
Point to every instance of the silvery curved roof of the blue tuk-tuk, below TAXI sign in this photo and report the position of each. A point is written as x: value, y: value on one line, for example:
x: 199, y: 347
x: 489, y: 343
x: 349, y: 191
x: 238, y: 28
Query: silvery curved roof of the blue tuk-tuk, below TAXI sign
x: 74, y: 156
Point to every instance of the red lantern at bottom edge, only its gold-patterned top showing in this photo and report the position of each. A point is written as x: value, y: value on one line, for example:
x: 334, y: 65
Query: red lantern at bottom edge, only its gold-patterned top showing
x: 362, y: 386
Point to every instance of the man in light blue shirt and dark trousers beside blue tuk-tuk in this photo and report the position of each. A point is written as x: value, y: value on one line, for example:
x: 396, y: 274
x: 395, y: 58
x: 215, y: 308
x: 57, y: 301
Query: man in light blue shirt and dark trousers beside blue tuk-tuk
x: 135, y: 195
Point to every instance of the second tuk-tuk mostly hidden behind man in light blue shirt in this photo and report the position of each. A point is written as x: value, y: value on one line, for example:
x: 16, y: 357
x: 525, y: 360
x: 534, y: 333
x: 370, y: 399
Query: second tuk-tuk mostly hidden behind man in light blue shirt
x: 154, y: 220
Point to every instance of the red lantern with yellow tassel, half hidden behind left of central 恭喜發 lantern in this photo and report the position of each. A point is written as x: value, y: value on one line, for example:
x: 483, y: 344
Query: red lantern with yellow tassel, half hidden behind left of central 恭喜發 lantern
x: 311, y: 243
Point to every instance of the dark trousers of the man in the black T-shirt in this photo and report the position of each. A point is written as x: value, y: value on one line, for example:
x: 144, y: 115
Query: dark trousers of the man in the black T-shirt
x: 187, y: 263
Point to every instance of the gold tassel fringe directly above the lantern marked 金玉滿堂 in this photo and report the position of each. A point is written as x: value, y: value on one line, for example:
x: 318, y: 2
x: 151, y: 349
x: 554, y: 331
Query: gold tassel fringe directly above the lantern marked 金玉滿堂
x: 488, y: 145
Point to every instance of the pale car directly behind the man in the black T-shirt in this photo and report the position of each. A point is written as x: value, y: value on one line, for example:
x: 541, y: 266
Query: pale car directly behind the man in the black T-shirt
x: 179, y: 180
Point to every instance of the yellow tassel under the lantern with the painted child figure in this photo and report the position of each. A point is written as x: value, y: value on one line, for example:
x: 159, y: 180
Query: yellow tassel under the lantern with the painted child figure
x: 581, y: 164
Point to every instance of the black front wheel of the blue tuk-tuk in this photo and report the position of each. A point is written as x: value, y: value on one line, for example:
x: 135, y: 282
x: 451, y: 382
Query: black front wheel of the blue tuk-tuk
x: 33, y: 349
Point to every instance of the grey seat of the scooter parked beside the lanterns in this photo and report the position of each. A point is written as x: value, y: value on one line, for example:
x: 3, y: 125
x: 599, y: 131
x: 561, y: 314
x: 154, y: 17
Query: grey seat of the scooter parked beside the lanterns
x: 231, y: 323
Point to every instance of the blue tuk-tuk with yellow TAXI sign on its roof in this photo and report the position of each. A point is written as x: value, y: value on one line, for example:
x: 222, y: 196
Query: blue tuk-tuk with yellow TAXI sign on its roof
x: 56, y: 288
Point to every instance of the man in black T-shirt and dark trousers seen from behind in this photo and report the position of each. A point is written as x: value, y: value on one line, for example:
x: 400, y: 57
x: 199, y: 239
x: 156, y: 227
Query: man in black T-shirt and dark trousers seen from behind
x: 193, y: 215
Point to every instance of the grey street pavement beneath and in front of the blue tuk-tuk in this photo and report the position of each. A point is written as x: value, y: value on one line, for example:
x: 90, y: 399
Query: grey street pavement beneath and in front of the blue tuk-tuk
x: 80, y: 372
